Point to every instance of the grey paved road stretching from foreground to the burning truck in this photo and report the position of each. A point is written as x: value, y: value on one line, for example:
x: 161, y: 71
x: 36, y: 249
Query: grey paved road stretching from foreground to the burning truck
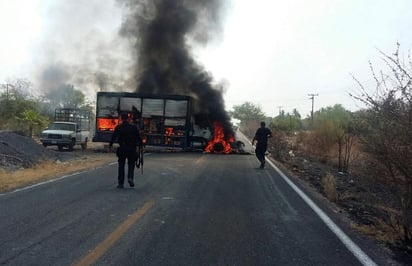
x: 187, y: 209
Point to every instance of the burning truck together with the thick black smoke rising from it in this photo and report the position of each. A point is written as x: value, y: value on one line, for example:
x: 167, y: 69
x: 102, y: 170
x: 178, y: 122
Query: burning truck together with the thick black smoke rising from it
x: 176, y: 102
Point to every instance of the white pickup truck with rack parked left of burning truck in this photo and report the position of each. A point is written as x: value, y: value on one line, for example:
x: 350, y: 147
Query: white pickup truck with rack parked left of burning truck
x: 71, y: 128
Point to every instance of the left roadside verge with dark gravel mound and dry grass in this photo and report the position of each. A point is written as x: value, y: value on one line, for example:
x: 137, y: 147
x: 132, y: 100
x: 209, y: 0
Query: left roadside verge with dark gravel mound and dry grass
x: 23, y: 161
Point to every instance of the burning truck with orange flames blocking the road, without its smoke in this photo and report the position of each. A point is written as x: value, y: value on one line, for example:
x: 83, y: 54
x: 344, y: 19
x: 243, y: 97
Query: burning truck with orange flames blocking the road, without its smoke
x: 164, y: 120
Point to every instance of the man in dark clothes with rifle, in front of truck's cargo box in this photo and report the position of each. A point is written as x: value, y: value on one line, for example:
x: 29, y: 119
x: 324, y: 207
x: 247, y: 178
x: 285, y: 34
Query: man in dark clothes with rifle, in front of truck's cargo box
x: 128, y: 137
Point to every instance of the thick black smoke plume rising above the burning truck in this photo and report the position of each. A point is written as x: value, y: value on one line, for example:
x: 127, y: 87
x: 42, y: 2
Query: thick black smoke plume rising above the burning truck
x: 164, y: 32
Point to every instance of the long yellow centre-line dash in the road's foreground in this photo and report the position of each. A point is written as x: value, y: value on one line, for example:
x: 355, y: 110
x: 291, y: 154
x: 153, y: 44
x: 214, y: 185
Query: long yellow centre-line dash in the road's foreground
x: 99, y: 250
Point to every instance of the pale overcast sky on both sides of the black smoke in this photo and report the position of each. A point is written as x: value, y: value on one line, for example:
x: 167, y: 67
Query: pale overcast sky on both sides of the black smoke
x: 271, y: 53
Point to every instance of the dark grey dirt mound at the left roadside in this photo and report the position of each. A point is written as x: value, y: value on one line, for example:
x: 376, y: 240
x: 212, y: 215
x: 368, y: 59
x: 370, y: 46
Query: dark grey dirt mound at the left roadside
x: 18, y: 151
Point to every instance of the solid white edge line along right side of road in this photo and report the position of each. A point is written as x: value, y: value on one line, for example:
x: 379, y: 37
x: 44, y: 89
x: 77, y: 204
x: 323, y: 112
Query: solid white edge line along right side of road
x: 350, y: 245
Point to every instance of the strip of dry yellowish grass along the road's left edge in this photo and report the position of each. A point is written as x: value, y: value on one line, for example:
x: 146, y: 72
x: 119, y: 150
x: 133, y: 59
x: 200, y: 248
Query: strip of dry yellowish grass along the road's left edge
x: 48, y: 170
